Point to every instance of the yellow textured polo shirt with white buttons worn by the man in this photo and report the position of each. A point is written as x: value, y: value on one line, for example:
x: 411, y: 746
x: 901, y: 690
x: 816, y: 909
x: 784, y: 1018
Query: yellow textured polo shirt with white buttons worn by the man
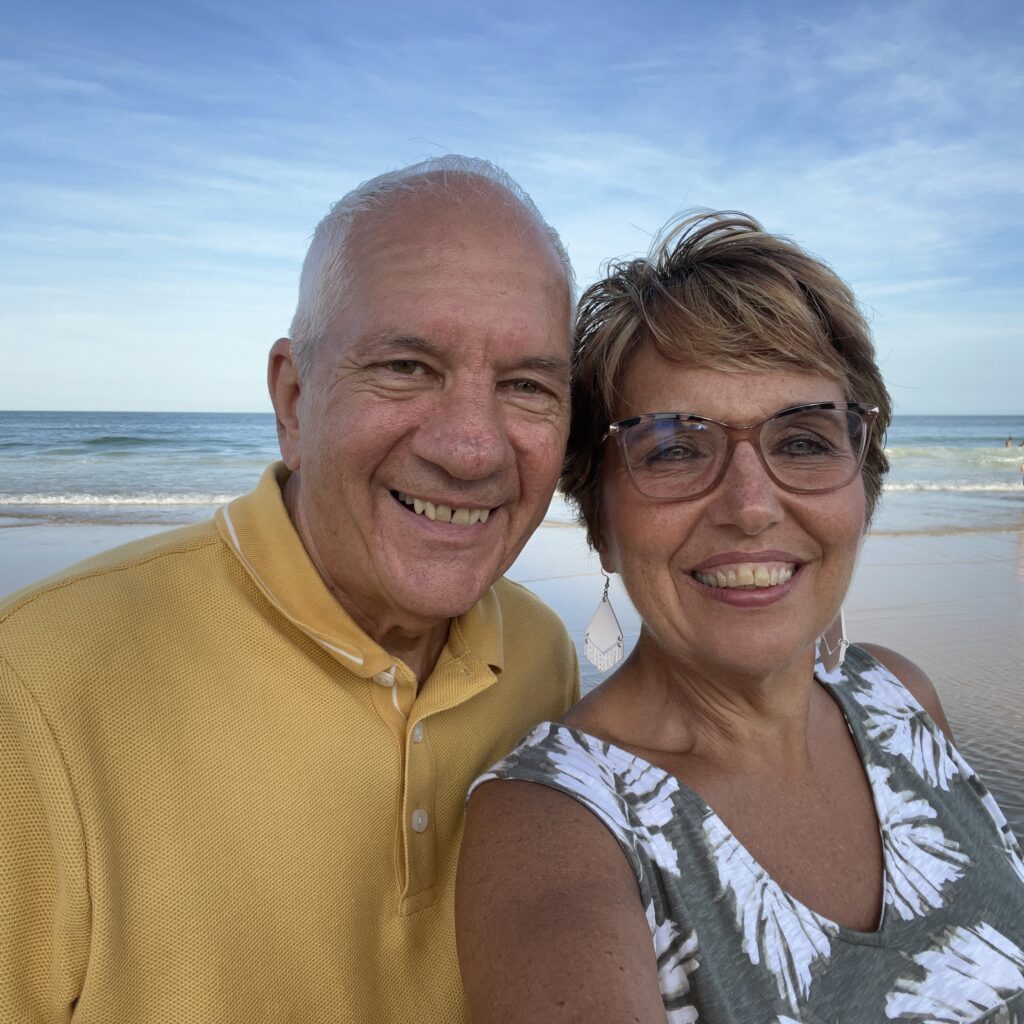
x: 222, y: 801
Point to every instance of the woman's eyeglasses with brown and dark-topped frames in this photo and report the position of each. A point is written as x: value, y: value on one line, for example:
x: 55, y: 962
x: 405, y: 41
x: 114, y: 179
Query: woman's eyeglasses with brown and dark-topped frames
x: 805, y: 449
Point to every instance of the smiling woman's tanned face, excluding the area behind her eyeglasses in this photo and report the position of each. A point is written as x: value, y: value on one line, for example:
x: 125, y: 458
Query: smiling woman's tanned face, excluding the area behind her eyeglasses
x: 662, y: 548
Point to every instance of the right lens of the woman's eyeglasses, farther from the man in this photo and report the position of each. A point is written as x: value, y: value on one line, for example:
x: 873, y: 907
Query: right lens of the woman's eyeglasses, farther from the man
x: 815, y: 449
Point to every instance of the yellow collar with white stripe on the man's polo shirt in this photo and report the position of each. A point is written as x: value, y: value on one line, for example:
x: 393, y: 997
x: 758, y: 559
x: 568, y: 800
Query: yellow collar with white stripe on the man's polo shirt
x: 259, y: 531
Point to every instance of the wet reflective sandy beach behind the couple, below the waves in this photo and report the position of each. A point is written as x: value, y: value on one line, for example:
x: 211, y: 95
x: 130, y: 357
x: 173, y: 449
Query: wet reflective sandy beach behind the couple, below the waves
x: 954, y: 603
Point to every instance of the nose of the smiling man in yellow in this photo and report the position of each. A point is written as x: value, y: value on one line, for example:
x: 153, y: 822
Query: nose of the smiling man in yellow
x: 466, y: 434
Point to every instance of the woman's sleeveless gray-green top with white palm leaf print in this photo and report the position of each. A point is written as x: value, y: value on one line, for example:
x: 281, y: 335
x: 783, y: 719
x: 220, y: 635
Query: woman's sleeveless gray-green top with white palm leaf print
x: 731, y: 945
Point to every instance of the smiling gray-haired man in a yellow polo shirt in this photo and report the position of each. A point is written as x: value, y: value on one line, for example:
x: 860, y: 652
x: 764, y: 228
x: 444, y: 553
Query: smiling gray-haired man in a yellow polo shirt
x: 234, y: 757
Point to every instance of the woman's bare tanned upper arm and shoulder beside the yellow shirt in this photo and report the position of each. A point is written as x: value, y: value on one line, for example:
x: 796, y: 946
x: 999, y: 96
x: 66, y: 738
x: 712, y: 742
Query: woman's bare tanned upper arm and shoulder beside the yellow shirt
x: 537, y: 871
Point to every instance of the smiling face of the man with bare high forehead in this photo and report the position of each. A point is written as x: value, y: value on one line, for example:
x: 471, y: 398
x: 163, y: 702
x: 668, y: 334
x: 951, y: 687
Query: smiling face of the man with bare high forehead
x: 431, y: 430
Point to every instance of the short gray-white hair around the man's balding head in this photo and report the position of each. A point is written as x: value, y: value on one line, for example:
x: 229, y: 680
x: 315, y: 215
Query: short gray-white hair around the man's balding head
x: 327, y: 269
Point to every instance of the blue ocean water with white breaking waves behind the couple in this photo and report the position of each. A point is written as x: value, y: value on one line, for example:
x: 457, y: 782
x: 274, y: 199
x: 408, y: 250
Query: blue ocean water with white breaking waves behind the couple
x: 949, y: 474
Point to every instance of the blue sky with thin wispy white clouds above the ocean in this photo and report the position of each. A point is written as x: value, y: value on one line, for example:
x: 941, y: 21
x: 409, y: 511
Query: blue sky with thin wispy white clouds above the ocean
x: 163, y: 166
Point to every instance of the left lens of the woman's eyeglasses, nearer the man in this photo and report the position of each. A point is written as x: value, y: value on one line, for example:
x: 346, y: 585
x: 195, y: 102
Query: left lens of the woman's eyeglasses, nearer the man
x: 673, y: 458
